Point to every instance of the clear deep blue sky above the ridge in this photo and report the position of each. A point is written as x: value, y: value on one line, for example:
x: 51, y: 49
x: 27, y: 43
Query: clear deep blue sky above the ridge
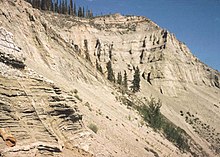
x: 194, y: 22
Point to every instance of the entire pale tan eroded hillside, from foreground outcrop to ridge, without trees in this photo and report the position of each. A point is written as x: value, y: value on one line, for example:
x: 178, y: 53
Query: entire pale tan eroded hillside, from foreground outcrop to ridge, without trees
x: 52, y: 96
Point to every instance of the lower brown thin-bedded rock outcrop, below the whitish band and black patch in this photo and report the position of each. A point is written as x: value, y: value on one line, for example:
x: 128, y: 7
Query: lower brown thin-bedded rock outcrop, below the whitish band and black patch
x: 37, y: 115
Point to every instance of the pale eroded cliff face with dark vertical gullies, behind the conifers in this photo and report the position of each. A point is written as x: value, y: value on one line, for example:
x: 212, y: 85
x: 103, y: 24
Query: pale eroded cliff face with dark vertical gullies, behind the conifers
x: 129, y: 41
